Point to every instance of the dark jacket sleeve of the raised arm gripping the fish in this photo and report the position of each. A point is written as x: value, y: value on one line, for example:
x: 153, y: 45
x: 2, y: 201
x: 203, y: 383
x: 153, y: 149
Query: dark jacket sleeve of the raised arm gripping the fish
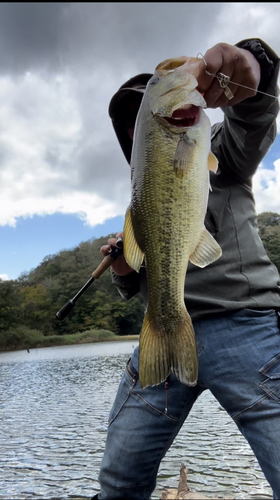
x: 248, y: 130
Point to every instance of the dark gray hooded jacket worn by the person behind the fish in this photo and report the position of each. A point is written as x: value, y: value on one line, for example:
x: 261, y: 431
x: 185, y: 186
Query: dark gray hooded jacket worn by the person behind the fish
x: 243, y: 277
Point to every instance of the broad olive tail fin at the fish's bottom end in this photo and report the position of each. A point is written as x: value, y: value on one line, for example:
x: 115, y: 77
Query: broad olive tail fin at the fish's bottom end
x: 162, y: 353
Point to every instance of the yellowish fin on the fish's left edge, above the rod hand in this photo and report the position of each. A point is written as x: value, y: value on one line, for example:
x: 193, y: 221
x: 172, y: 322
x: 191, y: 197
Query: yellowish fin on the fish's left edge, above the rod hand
x: 133, y: 254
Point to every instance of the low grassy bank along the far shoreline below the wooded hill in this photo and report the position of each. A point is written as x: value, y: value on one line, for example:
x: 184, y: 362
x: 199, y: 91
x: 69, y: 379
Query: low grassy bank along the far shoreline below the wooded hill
x: 23, y: 338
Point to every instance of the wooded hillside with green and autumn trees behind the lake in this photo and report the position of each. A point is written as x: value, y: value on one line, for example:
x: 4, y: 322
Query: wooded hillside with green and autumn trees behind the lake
x: 33, y: 300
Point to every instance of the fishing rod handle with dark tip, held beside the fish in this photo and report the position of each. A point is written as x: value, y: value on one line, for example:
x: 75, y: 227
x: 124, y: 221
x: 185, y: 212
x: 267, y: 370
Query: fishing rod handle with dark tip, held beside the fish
x: 104, y: 264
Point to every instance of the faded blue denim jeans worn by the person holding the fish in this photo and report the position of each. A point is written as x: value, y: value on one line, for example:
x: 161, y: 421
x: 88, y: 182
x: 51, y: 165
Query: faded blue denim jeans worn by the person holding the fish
x: 239, y: 362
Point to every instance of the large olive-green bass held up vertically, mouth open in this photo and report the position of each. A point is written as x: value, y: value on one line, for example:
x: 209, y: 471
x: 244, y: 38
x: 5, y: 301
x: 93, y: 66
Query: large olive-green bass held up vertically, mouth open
x: 164, y: 224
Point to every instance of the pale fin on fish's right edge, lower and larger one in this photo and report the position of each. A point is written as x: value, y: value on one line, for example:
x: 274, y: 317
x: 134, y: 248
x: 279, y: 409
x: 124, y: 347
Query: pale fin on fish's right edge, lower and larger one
x: 207, y: 250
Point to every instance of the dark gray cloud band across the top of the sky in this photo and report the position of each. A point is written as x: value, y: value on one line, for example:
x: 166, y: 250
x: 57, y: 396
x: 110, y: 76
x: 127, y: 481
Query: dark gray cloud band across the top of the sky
x: 54, y: 35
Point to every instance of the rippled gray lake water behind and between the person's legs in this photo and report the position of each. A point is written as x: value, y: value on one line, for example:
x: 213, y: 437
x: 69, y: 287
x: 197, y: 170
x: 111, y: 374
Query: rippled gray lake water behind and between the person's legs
x: 53, y: 411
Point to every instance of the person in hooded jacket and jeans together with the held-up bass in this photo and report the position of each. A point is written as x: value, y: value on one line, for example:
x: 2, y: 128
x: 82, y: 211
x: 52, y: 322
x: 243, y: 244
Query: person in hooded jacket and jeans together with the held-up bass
x: 192, y: 249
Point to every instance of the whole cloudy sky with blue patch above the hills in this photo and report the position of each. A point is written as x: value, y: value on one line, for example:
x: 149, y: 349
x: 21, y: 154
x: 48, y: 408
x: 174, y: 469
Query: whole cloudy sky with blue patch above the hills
x: 63, y: 178
